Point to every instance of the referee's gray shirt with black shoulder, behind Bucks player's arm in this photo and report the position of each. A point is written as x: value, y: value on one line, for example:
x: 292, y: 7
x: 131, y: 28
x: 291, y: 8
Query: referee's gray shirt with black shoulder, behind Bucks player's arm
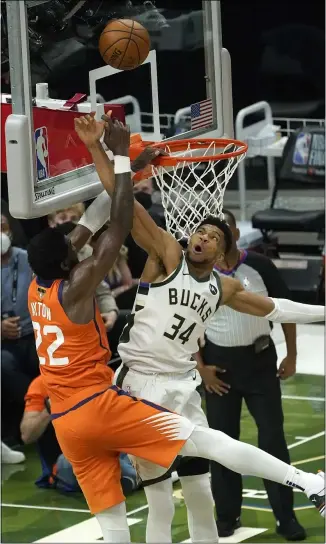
x: 259, y: 275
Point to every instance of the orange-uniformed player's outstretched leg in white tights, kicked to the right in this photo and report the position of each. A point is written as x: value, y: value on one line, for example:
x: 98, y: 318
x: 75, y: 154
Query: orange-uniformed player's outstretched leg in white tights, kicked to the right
x: 166, y: 431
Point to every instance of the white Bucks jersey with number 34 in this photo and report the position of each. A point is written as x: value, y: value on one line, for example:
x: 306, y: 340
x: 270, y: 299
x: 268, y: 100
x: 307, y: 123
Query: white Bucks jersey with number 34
x: 167, y: 320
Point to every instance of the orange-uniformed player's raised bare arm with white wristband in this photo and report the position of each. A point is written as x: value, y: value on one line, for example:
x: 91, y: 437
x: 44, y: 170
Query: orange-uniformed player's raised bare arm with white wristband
x: 90, y: 272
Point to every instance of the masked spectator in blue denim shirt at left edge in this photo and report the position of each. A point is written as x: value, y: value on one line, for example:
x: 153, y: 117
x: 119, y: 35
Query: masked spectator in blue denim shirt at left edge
x: 19, y: 360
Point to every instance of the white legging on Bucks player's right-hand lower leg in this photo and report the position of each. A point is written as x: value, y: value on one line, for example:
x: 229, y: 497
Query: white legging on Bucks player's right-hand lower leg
x: 199, y: 500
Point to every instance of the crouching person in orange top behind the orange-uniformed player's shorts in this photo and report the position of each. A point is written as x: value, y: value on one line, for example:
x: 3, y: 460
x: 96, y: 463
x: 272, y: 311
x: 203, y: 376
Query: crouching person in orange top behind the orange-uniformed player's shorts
x: 56, y: 470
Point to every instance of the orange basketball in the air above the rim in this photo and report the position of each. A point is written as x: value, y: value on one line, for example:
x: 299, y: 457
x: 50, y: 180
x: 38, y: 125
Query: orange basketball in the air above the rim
x: 124, y: 44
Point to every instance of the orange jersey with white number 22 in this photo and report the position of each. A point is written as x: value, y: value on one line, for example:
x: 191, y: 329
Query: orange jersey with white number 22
x: 73, y: 358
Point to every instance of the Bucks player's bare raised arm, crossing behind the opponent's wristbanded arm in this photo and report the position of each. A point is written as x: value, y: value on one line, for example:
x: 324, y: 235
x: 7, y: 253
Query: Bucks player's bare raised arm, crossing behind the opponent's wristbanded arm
x: 154, y: 240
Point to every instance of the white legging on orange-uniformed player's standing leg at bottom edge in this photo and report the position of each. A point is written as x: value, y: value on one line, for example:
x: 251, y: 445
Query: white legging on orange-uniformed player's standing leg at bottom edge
x: 114, y: 525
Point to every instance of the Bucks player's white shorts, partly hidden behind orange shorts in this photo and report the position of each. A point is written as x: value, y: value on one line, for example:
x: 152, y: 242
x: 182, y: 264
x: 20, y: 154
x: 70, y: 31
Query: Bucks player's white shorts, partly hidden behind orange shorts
x: 176, y: 392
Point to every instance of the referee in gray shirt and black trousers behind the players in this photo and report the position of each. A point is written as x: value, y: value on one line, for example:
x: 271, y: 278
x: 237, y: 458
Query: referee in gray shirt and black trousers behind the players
x: 241, y: 344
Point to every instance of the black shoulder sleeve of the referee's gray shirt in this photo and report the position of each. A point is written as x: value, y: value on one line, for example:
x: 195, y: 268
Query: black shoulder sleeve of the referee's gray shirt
x: 275, y: 285
